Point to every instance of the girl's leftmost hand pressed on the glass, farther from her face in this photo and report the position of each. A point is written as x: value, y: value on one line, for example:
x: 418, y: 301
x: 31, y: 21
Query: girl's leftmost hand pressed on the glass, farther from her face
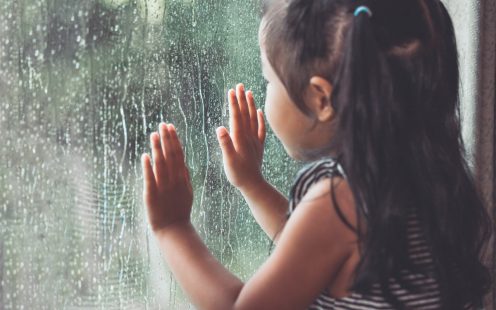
x: 168, y: 193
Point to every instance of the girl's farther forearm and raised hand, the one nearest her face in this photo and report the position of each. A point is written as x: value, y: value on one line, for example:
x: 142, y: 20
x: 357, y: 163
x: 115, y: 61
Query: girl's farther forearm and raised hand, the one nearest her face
x: 242, y: 152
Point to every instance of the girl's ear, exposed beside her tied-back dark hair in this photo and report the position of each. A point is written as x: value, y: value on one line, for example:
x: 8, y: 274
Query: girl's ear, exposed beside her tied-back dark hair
x: 319, y: 98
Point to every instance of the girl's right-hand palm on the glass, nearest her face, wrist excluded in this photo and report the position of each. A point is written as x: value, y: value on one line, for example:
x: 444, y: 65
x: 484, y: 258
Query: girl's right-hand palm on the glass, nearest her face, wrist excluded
x: 242, y: 148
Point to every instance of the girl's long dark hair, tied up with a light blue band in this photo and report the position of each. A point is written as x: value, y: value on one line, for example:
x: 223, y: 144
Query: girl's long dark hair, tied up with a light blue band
x: 395, y: 91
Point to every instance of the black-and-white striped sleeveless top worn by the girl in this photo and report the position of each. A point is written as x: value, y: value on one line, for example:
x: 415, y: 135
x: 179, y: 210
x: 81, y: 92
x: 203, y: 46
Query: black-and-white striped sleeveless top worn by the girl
x: 429, y: 298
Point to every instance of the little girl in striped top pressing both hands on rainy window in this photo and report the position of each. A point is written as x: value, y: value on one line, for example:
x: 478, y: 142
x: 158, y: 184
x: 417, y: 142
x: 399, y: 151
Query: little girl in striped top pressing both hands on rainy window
x: 385, y: 214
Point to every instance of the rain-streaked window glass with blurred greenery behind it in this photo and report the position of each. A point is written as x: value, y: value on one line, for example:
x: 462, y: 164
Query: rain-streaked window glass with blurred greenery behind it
x: 82, y: 85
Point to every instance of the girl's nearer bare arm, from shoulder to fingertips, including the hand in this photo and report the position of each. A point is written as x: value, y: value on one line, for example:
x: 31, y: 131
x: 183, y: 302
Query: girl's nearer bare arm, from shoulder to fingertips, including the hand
x: 313, y: 245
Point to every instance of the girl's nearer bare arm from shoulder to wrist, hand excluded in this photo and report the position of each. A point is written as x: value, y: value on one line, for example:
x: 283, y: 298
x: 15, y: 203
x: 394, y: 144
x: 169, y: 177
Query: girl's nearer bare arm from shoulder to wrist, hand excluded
x: 312, y: 248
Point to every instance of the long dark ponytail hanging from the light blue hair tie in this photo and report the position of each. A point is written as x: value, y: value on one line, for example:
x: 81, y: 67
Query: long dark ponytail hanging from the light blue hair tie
x: 363, y: 99
